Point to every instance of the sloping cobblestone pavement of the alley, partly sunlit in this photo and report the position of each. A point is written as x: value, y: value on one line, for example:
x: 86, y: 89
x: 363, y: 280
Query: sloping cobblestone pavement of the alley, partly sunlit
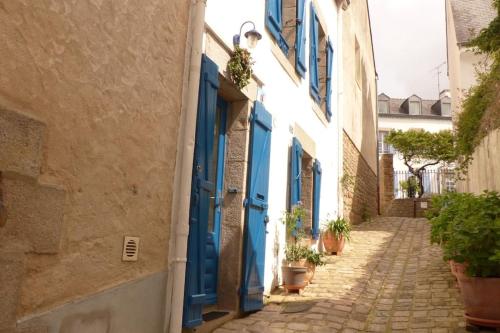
x: 389, y: 279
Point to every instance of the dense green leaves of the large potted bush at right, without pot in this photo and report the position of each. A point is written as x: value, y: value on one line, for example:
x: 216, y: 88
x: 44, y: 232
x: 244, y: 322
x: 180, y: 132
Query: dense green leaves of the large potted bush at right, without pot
x: 468, y: 229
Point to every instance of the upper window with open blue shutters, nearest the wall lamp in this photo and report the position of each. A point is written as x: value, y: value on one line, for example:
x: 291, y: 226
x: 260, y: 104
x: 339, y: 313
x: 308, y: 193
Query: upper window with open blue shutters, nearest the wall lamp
x: 285, y: 20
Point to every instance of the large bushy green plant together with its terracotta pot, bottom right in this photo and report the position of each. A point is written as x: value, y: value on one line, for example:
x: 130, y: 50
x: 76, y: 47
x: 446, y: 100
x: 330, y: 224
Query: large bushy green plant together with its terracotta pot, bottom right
x: 471, y: 242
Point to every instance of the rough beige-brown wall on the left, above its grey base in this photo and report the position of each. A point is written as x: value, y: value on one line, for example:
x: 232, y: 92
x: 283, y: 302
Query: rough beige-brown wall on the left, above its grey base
x: 94, y: 88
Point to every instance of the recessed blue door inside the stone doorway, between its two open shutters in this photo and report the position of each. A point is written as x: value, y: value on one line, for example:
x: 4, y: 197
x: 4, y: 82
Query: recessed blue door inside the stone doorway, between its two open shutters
x: 215, y: 205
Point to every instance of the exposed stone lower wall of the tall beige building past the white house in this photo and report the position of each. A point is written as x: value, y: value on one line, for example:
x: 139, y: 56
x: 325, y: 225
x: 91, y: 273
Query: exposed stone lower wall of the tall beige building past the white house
x: 359, y: 184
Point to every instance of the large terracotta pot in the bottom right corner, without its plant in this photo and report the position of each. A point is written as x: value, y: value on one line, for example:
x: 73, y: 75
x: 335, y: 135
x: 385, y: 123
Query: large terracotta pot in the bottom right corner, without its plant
x: 481, y: 298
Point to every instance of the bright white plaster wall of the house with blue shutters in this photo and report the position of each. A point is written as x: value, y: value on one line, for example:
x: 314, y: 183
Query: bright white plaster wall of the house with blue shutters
x: 290, y: 104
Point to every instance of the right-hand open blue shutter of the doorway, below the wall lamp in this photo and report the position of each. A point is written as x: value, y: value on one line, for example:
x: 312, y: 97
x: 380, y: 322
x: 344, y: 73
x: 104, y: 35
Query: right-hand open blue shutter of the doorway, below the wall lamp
x: 254, y: 249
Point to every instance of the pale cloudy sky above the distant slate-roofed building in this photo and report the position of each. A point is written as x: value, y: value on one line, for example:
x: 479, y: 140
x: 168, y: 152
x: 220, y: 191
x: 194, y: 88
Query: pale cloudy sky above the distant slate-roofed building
x: 409, y: 38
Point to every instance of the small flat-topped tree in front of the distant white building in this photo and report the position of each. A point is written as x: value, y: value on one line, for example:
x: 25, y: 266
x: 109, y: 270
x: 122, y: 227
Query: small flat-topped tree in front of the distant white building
x: 421, y: 149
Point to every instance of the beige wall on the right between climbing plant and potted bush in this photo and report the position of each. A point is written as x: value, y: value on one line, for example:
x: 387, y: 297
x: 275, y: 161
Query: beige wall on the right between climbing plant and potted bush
x: 484, y: 170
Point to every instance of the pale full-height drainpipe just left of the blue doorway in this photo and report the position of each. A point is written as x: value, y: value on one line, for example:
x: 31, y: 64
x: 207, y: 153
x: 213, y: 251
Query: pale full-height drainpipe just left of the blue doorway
x: 182, y: 181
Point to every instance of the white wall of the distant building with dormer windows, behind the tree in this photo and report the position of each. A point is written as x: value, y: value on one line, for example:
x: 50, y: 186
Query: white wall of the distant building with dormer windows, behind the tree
x: 404, y: 124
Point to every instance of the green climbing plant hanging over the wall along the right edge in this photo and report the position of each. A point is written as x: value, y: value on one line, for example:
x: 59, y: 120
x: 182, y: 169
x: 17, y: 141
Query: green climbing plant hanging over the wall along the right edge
x: 480, y: 112
